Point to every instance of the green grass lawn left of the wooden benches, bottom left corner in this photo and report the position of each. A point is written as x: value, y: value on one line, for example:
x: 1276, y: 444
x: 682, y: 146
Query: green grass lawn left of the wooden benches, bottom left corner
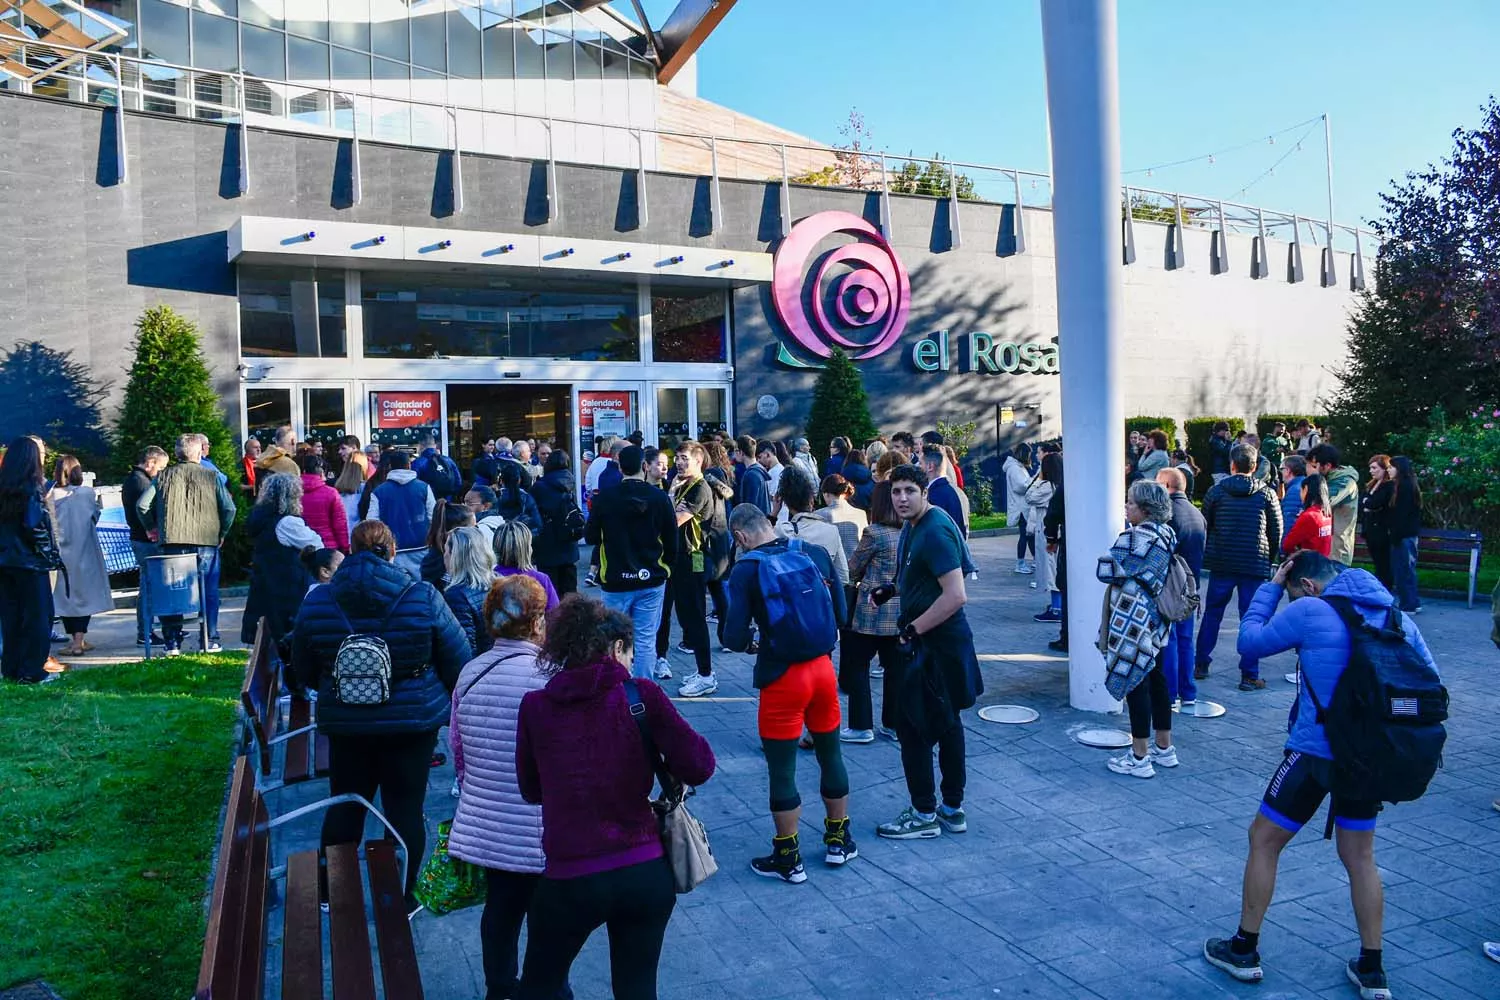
x: 110, y: 791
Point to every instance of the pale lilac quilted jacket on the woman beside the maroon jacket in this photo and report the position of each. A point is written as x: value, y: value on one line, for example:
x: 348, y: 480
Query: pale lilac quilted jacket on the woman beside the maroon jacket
x: 494, y: 827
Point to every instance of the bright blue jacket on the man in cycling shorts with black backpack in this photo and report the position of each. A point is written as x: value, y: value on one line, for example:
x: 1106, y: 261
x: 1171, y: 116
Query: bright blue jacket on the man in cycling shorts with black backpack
x: 1315, y: 630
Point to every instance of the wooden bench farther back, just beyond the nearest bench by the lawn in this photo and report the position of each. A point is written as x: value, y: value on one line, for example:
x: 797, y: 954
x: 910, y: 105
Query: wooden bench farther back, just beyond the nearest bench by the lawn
x: 274, y: 722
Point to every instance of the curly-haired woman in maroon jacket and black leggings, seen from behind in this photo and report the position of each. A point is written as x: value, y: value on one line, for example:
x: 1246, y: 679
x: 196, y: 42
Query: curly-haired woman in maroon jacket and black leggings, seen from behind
x: 580, y: 755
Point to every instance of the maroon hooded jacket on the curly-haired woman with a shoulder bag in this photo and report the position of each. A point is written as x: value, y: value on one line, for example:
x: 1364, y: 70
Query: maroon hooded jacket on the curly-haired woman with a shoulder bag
x: 580, y: 756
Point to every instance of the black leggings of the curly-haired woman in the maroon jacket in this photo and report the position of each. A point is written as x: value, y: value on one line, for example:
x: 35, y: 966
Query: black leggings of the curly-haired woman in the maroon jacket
x: 634, y: 903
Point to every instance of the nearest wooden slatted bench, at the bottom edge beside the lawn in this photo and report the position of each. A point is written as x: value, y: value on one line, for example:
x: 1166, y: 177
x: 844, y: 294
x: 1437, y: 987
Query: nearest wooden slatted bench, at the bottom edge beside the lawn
x: 235, y: 947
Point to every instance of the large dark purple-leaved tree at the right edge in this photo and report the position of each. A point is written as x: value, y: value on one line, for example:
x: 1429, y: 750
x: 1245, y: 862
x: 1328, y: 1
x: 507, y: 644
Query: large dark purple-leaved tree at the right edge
x: 1426, y: 343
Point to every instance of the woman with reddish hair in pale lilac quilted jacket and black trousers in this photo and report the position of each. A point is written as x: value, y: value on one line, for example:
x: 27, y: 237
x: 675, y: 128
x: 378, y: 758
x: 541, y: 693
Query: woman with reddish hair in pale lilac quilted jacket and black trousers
x: 494, y: 827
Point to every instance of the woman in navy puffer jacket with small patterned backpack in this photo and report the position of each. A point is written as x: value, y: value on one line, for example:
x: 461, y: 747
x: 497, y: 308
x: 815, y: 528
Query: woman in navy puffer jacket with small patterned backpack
x: 383, y: 747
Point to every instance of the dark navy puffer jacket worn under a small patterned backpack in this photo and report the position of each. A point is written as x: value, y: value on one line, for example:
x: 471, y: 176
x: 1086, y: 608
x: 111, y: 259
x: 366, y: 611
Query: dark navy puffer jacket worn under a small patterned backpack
x: 427, y: 647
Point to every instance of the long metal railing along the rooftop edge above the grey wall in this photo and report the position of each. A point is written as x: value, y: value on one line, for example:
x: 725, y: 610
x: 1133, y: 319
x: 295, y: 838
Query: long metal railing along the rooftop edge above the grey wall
x: 130, y: 83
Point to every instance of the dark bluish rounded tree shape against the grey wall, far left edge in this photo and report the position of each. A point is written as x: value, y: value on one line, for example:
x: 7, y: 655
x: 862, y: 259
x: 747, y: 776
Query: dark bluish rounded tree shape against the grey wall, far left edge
x: 53, y: 397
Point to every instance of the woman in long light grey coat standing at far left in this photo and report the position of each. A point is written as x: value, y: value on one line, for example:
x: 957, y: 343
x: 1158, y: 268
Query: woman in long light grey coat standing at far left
x: 83, y: 585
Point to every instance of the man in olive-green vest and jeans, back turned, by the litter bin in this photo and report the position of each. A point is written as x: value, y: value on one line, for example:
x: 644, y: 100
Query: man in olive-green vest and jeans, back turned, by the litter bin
x: 194, y: 513
